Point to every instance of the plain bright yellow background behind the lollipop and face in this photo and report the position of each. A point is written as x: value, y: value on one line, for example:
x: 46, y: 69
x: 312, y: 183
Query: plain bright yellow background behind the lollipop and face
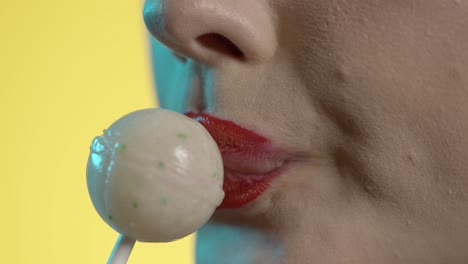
x: 68, y: 69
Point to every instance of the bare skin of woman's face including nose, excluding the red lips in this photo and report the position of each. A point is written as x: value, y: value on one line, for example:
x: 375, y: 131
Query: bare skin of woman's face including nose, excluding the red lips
x: 370, y: 95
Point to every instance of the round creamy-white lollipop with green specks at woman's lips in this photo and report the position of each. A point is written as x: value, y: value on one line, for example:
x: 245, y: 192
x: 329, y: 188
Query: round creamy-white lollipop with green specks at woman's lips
x: 155, y: 176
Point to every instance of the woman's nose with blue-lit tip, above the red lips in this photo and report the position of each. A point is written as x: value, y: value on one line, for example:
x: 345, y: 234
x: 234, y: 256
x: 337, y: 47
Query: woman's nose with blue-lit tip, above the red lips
x: 211, y: 31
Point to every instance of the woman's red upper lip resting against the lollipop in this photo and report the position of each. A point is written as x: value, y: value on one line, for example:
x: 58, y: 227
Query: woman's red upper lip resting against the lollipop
x: 243, y: 150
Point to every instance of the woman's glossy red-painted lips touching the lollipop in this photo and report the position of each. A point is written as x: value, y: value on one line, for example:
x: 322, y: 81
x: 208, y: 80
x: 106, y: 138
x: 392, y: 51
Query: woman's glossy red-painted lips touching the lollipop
x: 250, y: 160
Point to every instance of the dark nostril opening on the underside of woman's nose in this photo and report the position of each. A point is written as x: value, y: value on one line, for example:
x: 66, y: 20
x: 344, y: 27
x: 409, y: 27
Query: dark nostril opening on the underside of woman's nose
x: 221, y: 44
